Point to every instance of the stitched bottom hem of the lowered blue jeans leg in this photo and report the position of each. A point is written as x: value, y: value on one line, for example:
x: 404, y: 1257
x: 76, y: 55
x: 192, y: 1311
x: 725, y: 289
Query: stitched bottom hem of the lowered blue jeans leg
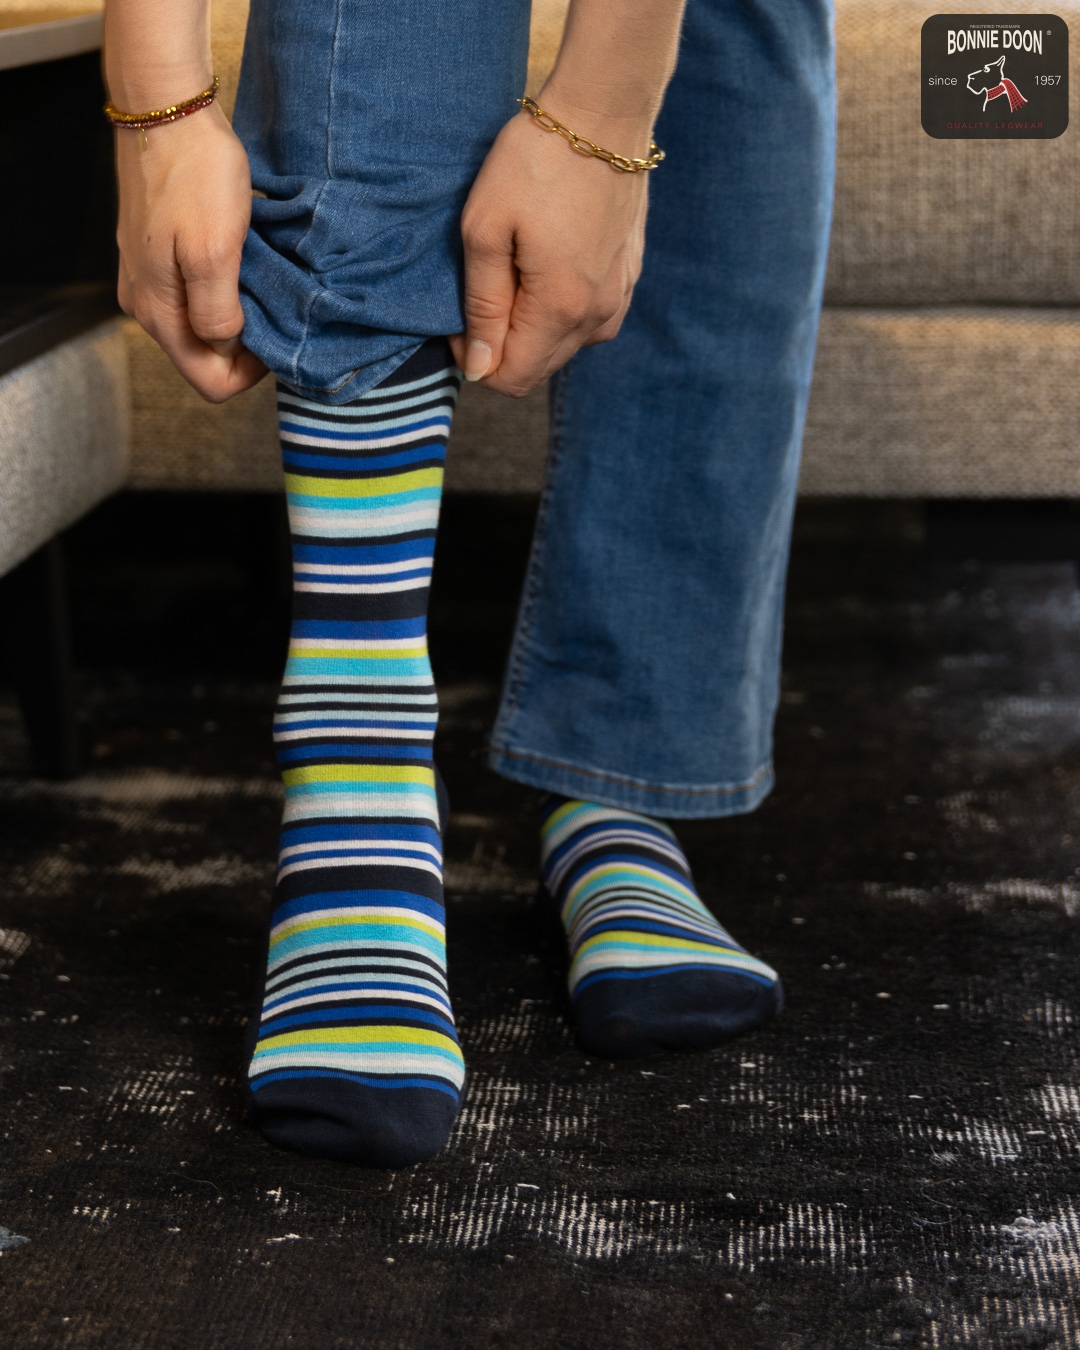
x: 672, y: 801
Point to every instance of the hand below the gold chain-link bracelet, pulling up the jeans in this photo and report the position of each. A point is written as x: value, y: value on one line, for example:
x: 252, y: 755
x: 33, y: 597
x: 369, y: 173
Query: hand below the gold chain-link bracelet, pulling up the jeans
x: 553, y: 249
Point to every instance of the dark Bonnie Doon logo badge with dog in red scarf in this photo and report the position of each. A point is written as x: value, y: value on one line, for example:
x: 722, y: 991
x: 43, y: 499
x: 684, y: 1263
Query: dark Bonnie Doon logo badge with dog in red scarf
x: 966, y: 91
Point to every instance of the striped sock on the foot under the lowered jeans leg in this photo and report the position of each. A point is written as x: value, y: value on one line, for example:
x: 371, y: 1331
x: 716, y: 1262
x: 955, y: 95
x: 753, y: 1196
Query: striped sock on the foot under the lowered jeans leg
x: 651, y: 970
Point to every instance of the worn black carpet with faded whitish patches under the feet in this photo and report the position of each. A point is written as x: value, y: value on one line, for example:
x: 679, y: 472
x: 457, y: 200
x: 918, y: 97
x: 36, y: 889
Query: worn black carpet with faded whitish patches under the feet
x: 894, y: 1163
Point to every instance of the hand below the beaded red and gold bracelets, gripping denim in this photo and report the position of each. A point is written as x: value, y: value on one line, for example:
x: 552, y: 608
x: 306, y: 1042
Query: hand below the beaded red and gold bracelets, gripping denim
x: 186, y: 206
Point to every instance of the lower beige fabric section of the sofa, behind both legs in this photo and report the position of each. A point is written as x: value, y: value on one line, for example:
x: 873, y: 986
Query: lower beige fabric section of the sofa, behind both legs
x: 900, y: 408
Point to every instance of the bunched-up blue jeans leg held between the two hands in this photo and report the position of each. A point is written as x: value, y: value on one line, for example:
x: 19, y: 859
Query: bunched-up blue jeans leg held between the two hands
x: 365, y: 124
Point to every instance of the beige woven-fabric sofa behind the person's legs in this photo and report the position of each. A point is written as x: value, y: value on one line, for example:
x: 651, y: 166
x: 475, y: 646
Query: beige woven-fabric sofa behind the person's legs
x: 950, y: 345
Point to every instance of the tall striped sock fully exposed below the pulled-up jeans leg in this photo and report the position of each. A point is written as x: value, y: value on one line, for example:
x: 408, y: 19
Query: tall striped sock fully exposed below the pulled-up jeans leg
x: 357, y: 1058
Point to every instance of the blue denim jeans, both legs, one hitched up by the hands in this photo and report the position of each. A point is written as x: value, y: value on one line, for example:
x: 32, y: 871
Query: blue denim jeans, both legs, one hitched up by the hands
x: 645, y: 673
